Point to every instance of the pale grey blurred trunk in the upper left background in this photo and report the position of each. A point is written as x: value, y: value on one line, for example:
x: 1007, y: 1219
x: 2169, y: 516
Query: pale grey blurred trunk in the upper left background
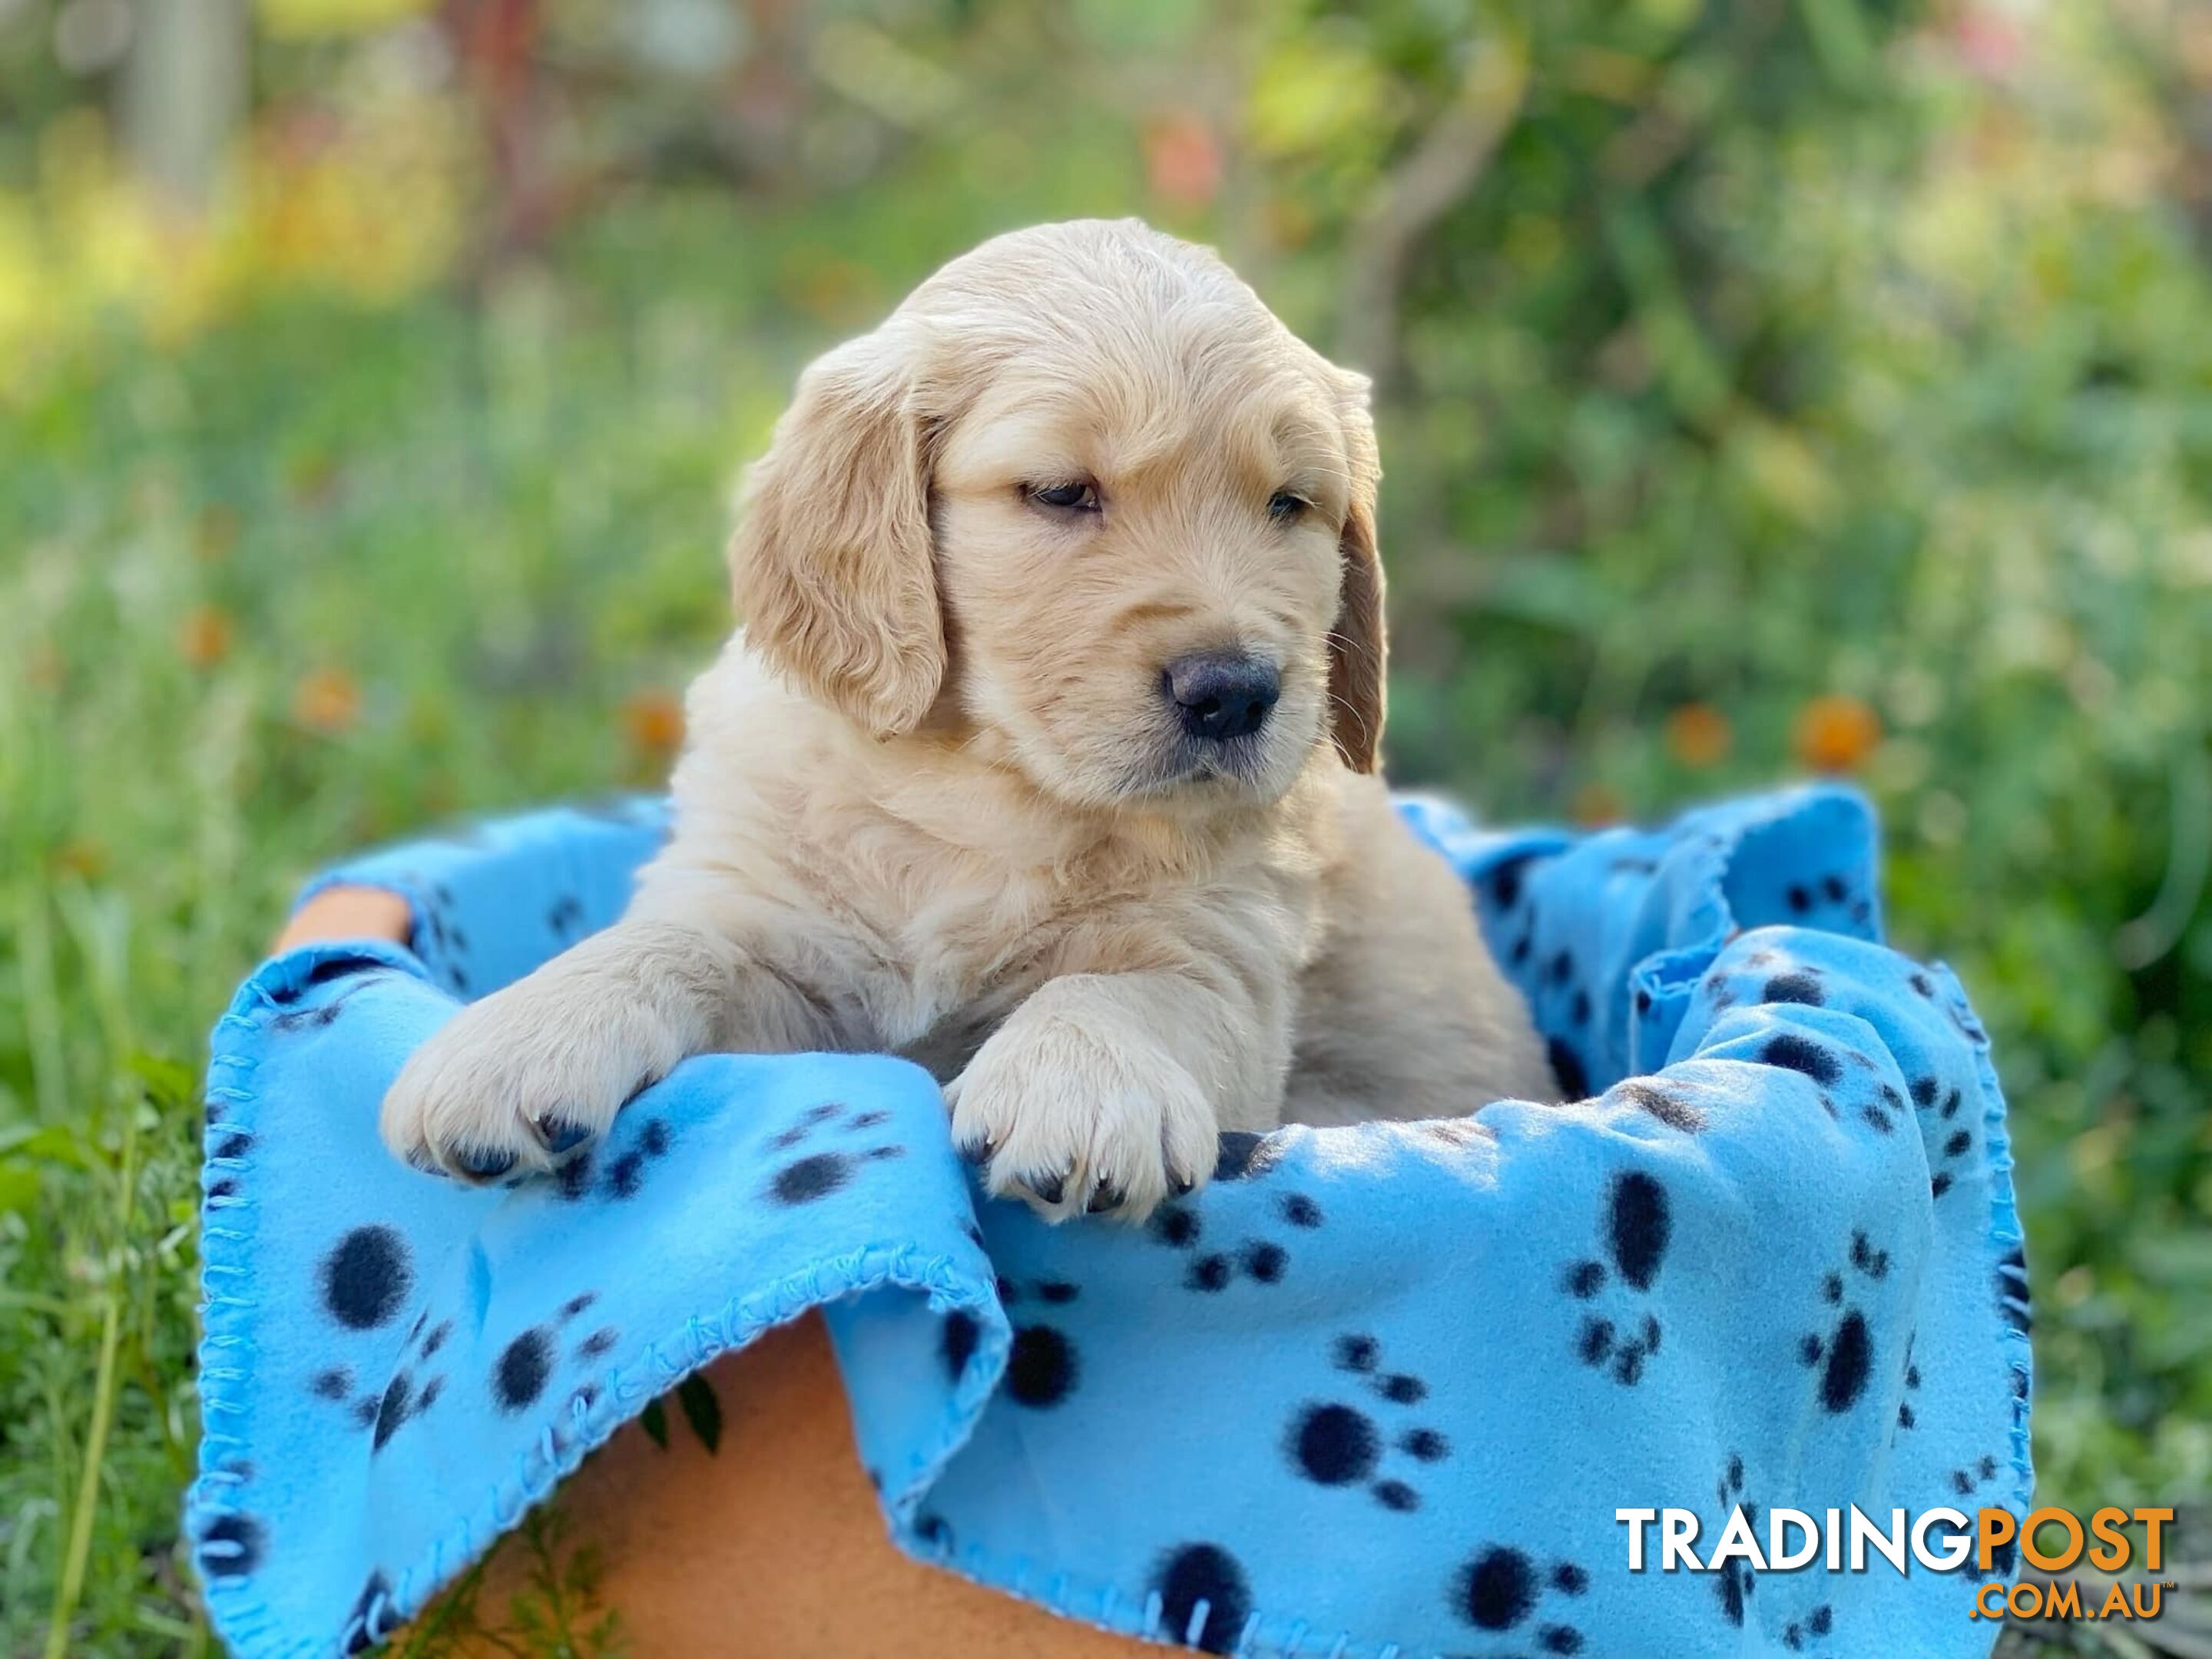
x: 185, y: 96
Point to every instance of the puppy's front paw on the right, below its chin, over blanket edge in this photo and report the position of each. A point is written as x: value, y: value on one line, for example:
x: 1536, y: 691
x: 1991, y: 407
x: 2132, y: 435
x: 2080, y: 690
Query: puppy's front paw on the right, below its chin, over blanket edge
x: 1076, y: 1123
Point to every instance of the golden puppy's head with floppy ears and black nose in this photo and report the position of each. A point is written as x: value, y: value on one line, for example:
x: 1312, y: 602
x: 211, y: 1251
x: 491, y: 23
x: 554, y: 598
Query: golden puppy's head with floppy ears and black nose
x: 1089, y: 510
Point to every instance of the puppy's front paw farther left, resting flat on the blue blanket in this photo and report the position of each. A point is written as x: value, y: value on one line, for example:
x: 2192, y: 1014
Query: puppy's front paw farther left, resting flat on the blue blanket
x: 514, y: 1083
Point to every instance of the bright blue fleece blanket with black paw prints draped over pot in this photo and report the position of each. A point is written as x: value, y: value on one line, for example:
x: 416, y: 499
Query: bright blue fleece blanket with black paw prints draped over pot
x: 1373, y: 1392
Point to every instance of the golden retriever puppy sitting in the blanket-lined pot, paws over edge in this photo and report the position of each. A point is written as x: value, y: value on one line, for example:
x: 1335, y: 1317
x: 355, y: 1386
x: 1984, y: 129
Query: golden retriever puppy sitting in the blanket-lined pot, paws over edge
x: 1045, y: 758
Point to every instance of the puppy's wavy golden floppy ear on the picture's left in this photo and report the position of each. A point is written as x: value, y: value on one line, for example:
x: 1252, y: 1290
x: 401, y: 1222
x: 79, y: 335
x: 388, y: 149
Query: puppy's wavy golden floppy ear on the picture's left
x: 833, y: 561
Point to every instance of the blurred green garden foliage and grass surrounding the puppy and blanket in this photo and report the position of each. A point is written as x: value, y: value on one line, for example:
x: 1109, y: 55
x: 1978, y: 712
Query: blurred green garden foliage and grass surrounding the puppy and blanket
x: 1762, y: 386
